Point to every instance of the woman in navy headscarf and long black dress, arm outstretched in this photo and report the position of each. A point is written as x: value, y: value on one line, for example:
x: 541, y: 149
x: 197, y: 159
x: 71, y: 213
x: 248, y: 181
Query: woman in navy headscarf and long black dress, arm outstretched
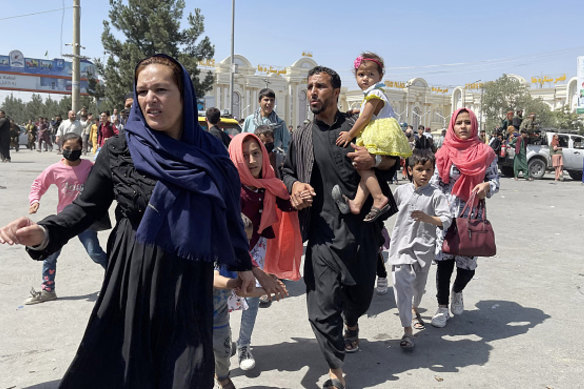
x: 178, y: 212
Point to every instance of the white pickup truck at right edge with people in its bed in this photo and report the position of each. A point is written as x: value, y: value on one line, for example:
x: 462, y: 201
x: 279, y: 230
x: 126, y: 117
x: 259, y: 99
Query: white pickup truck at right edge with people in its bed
x: 539, y: 159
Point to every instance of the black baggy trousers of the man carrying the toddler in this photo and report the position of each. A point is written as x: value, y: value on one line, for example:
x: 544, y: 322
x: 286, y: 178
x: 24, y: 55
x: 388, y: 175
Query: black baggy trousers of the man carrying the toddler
x: 330, y: 302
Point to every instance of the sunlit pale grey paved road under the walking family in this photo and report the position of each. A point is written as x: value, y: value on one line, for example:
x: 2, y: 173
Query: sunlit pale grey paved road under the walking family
x: 521, y: 327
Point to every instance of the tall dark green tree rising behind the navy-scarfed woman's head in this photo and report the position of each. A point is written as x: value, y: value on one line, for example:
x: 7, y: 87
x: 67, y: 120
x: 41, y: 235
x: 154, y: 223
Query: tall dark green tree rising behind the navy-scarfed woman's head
x: 150, y: 27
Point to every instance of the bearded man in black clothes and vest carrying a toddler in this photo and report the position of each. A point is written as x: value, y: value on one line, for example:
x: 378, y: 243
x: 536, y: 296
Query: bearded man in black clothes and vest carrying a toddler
x: 341, y: 252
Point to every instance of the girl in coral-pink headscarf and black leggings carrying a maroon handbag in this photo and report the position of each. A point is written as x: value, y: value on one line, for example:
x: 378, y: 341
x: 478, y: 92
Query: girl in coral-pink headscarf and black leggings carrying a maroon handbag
x: 464, y: 164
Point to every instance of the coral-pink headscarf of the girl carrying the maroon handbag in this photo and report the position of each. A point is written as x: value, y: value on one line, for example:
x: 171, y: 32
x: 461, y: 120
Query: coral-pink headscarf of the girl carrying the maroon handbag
x: 470, y: 156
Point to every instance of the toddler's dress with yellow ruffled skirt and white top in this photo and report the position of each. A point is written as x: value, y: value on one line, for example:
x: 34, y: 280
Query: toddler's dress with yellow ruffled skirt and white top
x: 383, y: 135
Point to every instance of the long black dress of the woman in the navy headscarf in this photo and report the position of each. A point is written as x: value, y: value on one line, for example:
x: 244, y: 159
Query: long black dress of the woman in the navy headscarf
x: 151, y: 326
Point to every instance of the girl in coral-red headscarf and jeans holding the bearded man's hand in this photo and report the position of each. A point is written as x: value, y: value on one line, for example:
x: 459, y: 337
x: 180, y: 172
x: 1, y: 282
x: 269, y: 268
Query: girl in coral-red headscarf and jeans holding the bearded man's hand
x: 266, y: 202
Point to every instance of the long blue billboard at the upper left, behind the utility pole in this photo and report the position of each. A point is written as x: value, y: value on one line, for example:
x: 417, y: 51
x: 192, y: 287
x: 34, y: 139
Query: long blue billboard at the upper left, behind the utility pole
x: 19, y: 73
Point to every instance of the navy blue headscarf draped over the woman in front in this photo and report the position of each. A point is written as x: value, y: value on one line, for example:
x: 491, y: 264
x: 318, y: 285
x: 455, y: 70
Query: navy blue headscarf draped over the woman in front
x: 194, y: 211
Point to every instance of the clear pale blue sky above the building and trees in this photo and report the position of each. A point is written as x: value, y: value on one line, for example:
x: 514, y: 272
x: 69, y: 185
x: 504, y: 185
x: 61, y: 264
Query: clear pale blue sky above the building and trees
x: 469, y: 40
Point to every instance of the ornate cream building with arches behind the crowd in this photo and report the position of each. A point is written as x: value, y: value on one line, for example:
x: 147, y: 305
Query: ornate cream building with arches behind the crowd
x: 415, y: 102
